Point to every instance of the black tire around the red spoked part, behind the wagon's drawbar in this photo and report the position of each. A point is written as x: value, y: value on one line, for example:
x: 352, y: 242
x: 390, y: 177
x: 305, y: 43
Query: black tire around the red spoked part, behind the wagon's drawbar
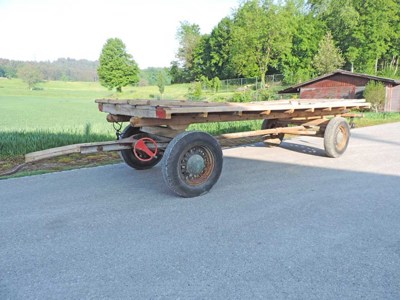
x: 129, y: 158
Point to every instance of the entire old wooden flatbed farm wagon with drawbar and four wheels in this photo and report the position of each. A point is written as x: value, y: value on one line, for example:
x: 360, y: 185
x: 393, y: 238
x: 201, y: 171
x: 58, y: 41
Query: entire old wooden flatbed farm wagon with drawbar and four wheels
x: 192, y: 160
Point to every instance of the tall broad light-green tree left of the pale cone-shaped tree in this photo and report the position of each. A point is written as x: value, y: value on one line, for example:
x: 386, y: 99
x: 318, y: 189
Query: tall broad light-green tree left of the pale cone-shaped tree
x: 261, y: 34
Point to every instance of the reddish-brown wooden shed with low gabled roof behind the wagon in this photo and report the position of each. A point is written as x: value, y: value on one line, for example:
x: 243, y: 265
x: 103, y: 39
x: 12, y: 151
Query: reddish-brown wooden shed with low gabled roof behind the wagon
x: 347, y: 85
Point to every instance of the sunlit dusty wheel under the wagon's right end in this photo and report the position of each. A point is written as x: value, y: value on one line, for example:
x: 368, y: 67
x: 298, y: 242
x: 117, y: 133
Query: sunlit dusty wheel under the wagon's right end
x: 333, y: 147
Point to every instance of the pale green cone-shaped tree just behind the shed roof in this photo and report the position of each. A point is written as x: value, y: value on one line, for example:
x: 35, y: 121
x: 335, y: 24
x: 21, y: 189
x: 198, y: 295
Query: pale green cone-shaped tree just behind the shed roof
x: 328, y: 58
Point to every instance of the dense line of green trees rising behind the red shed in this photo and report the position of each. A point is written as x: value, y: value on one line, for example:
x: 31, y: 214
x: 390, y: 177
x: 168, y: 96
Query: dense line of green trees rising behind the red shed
x: 298, y: 38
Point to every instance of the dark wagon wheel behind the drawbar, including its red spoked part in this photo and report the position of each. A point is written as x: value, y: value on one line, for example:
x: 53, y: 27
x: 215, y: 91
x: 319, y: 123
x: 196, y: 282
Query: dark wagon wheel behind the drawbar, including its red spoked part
x: 139, y: 158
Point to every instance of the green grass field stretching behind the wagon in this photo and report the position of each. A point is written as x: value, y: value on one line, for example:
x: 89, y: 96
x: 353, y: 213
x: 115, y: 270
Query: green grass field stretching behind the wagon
x: 63, y: 113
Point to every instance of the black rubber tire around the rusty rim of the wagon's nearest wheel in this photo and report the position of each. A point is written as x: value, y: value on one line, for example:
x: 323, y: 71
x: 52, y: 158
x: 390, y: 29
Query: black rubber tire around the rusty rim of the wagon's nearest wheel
x: 175, y: 153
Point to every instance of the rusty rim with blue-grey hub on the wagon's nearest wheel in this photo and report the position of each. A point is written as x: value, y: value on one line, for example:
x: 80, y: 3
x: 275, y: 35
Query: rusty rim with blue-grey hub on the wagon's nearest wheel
x: 197, y: 165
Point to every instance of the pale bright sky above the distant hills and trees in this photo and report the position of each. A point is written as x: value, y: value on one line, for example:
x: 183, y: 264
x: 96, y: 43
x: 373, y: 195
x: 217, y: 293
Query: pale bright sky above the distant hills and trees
x: 44, y: 30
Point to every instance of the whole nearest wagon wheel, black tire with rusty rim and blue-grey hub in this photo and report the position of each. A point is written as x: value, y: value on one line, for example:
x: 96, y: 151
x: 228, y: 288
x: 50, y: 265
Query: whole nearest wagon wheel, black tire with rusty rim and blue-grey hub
x: 192, y: 164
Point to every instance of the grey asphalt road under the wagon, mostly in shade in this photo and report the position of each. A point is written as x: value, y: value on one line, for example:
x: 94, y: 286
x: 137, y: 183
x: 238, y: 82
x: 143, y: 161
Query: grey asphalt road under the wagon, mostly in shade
x: 281, y: 223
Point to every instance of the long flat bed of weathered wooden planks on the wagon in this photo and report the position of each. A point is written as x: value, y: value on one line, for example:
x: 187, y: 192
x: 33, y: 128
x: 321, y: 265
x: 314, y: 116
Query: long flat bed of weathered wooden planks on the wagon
x: 175, y: 112
